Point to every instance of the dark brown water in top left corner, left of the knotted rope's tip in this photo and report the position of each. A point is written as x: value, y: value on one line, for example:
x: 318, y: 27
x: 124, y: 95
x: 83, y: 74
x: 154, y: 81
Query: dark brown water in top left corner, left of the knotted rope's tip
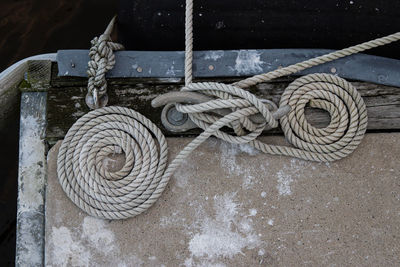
x: 30, y: 27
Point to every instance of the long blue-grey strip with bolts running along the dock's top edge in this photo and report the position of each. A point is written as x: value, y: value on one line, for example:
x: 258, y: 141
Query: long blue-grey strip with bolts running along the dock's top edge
x: 232, y: 63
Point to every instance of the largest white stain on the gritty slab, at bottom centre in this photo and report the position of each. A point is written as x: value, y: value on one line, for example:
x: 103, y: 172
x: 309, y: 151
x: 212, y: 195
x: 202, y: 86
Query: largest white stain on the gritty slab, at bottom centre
x: 222, y: 236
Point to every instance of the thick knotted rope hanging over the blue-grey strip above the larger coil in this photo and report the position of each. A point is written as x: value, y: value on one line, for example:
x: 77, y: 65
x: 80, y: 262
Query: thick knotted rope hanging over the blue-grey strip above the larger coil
x: 102, y: 59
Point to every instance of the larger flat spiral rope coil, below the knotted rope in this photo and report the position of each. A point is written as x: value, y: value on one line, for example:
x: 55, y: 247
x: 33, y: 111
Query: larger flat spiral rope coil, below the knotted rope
x: 128, y: 191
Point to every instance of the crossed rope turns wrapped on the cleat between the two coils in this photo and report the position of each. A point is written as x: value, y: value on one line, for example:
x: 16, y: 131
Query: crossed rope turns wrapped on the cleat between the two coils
x: 229, y: 106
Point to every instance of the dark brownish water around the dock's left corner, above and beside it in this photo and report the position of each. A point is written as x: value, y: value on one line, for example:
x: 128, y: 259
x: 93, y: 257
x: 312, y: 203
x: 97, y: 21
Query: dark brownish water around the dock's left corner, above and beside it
x: 31, y: 27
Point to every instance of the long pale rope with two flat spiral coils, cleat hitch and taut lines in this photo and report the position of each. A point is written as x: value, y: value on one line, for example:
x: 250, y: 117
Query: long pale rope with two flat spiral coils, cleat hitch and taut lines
x: 144, y: 176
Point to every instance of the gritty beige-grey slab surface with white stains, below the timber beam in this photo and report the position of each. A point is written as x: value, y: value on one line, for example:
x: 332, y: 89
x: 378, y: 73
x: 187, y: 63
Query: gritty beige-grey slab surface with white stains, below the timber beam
x: 229, y: 205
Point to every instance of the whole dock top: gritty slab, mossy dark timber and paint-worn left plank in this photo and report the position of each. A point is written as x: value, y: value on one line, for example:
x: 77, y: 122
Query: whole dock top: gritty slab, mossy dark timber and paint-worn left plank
x: 227, y: 205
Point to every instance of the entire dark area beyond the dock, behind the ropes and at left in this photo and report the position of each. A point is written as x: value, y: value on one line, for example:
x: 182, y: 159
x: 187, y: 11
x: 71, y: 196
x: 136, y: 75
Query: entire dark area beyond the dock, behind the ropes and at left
x: 30, y: 27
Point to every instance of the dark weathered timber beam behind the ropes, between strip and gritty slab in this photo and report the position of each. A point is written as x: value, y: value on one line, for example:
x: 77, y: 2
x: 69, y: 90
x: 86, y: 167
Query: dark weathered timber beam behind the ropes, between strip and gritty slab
x: 66, y: 103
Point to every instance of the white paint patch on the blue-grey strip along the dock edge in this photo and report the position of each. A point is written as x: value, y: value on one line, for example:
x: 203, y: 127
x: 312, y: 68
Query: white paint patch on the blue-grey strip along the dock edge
x: 248, y: 62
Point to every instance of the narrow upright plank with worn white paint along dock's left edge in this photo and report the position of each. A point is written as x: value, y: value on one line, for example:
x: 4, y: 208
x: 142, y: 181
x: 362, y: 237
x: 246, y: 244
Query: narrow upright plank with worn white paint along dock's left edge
x: 31, y: 180
